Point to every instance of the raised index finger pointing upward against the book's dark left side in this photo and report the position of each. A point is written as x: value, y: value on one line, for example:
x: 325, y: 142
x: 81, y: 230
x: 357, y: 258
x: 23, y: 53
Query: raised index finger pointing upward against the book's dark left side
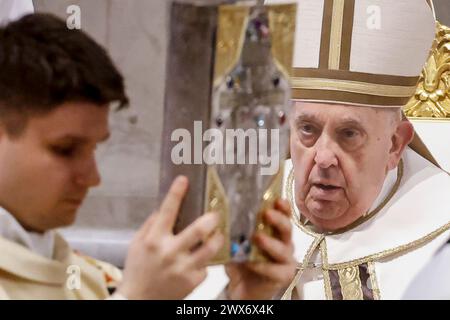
x: 170, y: 206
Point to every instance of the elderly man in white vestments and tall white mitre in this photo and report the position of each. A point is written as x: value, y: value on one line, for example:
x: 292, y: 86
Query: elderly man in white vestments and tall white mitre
x: 354, y: 61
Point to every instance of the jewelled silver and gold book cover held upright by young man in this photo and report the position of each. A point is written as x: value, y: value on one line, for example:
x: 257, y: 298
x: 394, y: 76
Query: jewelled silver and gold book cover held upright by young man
x: 227, y: 101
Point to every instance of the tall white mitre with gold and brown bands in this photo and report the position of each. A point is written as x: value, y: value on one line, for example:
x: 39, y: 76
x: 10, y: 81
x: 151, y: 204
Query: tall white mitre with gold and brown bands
x: 361, y: 52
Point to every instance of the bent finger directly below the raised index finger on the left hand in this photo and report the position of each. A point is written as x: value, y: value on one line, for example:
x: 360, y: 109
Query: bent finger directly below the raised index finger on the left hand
x: 198, y: 231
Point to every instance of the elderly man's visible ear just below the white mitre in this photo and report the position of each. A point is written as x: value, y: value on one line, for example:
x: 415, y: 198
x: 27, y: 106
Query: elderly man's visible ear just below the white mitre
x: 402, y: 136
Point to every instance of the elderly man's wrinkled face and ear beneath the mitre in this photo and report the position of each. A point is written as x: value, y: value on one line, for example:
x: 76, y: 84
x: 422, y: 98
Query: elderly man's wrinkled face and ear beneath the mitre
x: 341, y: 155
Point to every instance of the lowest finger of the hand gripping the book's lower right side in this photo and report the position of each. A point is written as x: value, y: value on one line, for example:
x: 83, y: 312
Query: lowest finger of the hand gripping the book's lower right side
x: 282, y: 274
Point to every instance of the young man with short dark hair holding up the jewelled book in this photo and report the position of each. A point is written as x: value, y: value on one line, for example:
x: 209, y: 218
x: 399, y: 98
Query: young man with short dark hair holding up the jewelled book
x: 56, y: 86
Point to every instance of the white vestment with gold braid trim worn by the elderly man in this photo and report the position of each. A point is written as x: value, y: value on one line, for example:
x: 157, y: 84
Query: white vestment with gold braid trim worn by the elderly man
x: 379, y: 258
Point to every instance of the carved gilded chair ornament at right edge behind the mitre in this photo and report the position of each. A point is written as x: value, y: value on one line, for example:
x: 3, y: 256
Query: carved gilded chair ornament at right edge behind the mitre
x: 432, y: 97
